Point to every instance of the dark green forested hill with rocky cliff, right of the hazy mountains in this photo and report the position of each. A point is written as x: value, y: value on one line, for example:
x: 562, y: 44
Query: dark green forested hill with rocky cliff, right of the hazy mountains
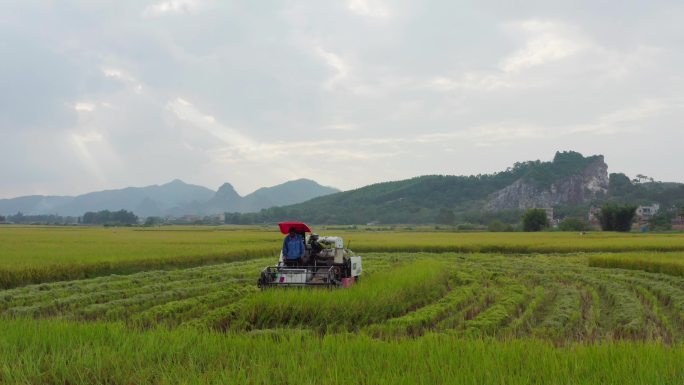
x: 570, y: 183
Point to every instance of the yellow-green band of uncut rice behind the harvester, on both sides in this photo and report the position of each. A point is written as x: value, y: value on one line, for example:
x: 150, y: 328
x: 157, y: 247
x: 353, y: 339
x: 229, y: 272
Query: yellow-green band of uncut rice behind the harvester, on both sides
x: 44, y: 254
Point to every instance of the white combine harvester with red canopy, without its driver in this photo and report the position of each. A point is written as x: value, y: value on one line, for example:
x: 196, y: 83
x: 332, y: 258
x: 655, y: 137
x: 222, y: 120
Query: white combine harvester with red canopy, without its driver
x: 326, y: 263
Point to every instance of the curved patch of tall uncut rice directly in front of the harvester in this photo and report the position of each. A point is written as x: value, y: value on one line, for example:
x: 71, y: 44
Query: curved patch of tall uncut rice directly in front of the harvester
x: 378, y: 297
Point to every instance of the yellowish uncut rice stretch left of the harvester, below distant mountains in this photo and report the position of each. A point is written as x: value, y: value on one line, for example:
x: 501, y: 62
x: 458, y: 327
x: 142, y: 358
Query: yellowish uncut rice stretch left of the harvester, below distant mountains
x: 44, y: 254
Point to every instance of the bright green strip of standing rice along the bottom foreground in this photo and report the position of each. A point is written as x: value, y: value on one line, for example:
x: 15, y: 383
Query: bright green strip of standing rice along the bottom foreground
x: 50, y: 352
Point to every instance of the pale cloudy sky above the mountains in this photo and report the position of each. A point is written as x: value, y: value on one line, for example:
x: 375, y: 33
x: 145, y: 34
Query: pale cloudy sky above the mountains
x: 107, y: 94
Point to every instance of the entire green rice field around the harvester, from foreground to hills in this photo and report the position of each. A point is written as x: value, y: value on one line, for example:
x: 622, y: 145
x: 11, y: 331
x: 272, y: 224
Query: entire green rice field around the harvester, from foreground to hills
x: 601, y: 308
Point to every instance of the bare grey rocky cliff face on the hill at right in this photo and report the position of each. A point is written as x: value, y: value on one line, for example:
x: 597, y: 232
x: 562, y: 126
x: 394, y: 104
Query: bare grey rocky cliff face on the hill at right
x: 580, y: 188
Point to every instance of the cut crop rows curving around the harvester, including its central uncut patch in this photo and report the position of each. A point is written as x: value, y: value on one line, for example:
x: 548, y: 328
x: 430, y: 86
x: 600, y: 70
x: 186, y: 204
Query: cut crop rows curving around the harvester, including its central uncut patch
x: 556, y: 298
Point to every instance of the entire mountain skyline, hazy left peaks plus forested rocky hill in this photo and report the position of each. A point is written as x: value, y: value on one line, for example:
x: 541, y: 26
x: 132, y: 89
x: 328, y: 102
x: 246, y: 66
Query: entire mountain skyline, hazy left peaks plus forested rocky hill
x: 570, y: 184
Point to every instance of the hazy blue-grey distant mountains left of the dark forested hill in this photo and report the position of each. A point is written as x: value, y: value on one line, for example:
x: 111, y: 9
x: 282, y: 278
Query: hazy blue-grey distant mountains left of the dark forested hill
x: 175, y: 198
